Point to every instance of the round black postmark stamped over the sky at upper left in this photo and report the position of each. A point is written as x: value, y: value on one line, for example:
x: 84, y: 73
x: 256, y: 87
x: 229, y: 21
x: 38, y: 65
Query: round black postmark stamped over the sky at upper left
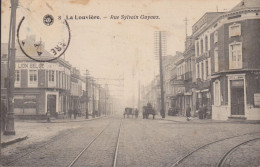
x: 40, y: 42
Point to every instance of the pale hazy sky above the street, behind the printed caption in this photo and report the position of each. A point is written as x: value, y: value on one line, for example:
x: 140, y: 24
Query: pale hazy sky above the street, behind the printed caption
x: 110, y: 48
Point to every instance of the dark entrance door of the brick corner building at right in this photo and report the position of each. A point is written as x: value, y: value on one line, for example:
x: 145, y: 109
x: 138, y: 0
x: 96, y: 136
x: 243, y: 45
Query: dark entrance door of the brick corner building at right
x: 237, y: 98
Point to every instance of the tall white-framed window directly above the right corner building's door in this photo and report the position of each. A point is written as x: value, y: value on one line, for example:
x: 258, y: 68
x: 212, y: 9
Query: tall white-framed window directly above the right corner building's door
x: 235, y: 55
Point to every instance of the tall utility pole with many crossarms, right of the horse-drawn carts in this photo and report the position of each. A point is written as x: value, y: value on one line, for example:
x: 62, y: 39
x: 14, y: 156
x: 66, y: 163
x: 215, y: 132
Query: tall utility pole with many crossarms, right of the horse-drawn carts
x: 161, y: 75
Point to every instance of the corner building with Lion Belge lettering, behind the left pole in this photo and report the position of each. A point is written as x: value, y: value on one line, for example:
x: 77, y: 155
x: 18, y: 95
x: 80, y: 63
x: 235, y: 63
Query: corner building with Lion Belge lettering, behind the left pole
x: 39, y: 86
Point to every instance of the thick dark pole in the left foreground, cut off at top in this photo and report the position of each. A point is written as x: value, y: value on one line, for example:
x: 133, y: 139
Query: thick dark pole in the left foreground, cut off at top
x: 10, y: 114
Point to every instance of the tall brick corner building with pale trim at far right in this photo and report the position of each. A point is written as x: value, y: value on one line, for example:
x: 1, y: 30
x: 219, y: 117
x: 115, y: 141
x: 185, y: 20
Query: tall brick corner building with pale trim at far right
x: 234, y: 53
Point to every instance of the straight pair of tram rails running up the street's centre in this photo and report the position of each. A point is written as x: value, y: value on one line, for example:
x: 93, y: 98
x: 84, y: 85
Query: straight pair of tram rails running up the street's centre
x: 83, y: 151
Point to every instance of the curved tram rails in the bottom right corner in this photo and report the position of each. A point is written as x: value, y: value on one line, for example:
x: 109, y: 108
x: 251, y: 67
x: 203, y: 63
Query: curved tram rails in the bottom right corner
x: 180, y: 160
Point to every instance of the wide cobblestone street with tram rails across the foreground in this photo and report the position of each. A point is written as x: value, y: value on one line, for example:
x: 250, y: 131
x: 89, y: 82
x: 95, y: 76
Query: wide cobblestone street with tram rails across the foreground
x: 142, y: 142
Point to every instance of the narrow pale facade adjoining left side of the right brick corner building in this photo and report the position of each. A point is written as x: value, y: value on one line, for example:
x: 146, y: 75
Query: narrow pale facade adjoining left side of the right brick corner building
x: 203, y: 46
